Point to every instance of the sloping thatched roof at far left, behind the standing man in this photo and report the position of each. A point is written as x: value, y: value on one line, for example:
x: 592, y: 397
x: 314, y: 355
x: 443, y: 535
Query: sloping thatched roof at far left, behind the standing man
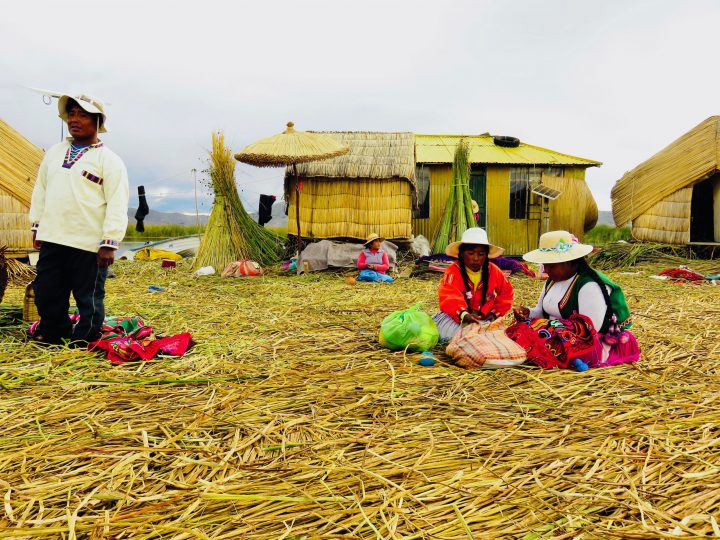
x: 19, y: 162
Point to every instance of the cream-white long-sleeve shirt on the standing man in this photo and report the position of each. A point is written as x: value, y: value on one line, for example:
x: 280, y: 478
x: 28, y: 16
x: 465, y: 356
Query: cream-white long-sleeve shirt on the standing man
x: 84, y: 206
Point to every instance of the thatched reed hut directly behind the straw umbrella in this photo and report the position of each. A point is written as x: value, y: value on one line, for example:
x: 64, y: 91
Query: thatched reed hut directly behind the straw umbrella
x: 369, y: 189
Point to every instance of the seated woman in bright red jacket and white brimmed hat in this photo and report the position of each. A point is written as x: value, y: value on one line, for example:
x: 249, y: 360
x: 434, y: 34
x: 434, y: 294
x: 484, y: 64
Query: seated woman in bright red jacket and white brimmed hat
x: 473, y: 290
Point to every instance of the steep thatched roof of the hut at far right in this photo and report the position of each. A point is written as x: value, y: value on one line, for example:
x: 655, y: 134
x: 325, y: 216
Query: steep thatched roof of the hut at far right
x: 685, y: 161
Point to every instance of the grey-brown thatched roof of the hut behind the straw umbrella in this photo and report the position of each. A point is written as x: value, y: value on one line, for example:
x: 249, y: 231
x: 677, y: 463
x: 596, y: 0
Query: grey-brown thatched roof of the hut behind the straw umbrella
x: 373, y: 155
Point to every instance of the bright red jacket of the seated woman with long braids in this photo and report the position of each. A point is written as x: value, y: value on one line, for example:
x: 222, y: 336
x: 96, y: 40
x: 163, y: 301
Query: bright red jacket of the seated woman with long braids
x: 451, y: 293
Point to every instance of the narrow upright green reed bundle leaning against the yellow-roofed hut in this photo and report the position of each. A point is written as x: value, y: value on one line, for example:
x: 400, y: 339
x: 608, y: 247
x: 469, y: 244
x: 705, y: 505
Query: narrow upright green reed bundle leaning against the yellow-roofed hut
x: 458, y: 215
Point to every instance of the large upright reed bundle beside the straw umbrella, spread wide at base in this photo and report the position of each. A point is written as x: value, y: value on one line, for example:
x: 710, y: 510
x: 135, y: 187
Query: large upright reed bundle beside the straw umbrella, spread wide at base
x: 231, y: 233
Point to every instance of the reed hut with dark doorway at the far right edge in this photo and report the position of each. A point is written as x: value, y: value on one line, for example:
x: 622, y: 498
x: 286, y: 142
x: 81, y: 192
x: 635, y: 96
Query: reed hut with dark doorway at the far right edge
x: 674, y: 196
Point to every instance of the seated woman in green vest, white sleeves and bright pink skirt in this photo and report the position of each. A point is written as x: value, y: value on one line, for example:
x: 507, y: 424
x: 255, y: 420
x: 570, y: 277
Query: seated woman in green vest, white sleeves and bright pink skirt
x: 574, y: 288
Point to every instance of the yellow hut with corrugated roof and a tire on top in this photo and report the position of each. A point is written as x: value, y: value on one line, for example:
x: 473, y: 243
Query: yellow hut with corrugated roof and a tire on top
x: 521, y: 190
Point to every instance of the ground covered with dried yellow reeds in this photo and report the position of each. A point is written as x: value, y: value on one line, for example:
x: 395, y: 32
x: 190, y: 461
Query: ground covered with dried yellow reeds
x: 288, y: 421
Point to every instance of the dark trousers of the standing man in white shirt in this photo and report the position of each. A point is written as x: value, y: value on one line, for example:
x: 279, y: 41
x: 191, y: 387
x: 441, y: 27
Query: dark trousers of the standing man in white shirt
x: 62, y: 270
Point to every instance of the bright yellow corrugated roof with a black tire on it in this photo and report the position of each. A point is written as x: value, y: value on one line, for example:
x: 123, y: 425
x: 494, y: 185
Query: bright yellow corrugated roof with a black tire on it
x: 441, y: 149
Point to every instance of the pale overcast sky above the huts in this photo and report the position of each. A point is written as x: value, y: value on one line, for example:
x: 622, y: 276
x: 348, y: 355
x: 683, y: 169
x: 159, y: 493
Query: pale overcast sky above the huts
x: 610, y: 80
